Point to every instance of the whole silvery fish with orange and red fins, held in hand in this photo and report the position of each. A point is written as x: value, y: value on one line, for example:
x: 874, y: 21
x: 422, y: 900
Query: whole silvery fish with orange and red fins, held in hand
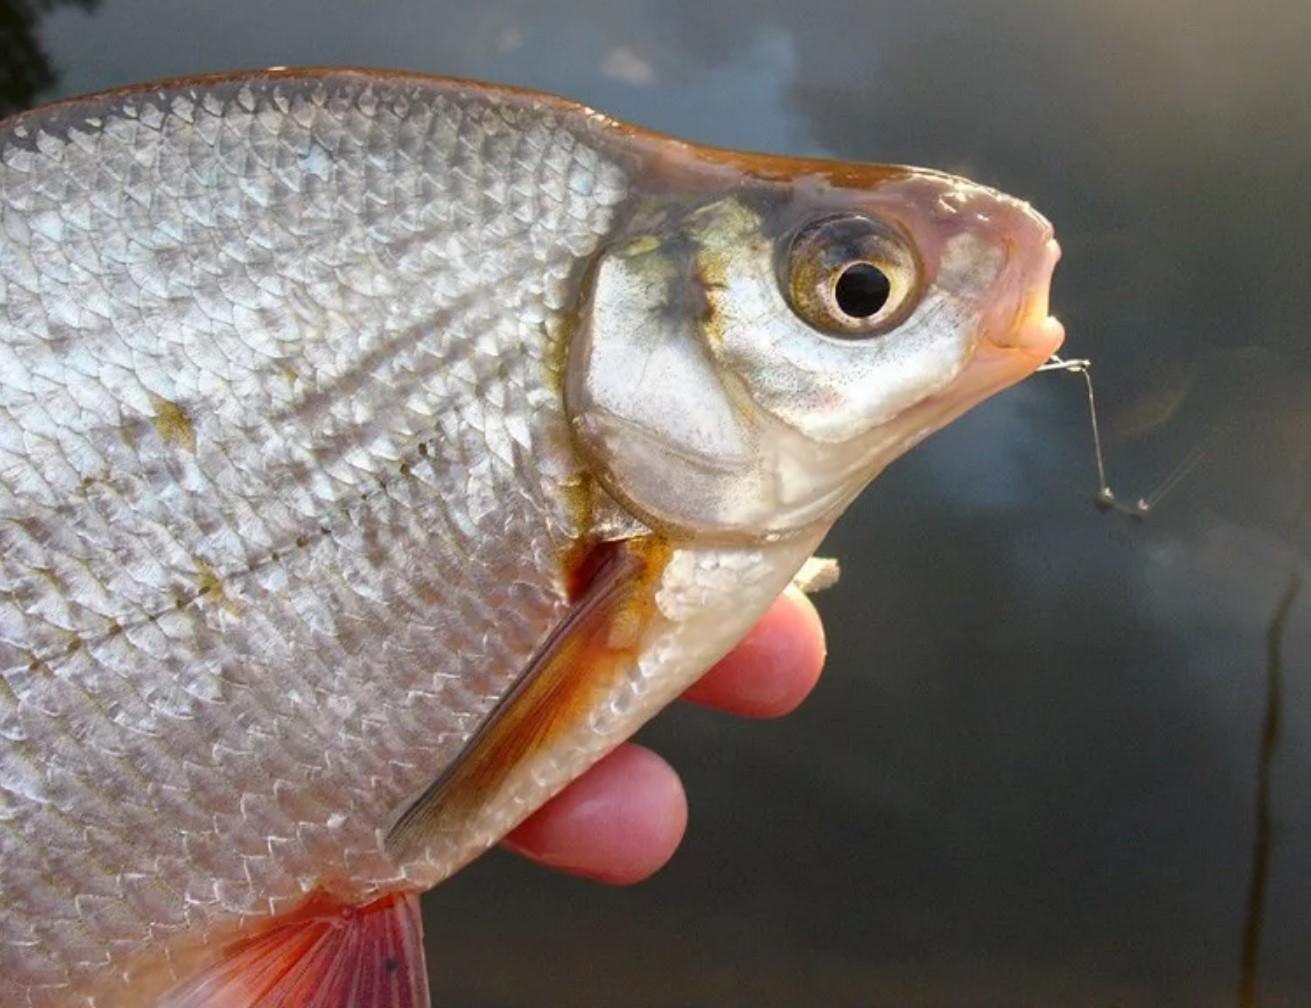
x: 377, y: 453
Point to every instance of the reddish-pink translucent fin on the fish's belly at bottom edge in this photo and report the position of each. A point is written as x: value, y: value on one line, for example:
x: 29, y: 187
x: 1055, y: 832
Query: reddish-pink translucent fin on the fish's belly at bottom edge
x: 326, y: 956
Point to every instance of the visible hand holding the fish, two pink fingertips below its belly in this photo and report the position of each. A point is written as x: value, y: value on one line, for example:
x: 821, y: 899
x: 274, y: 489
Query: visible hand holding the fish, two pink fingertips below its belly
x: 625, y: 819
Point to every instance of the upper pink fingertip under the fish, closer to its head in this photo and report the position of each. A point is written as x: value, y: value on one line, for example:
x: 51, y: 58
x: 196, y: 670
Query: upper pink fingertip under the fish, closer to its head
x: 775, y: 667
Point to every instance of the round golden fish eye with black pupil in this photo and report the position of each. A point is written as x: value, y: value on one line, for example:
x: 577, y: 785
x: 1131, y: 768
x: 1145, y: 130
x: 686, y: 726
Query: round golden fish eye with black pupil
x: 851, y: 276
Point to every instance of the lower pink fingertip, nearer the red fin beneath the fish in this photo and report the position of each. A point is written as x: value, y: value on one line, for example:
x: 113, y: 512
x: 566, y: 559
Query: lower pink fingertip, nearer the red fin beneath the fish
x: 618, y: 824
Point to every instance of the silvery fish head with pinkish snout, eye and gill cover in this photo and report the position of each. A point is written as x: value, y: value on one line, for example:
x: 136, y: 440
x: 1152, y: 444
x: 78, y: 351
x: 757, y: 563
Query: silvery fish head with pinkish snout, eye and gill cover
x: 748, y: 359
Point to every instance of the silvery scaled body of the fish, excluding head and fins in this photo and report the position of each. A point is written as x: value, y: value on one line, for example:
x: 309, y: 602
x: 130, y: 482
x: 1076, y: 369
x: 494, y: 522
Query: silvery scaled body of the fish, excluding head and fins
x: 281, y: 469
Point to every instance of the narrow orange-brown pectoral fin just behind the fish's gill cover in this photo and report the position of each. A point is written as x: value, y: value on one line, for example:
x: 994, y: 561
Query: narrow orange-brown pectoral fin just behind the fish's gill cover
x: 553, y: 694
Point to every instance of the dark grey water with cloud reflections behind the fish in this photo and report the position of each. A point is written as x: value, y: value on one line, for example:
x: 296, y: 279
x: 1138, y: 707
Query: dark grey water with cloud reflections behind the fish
x: 1031, y: 774
